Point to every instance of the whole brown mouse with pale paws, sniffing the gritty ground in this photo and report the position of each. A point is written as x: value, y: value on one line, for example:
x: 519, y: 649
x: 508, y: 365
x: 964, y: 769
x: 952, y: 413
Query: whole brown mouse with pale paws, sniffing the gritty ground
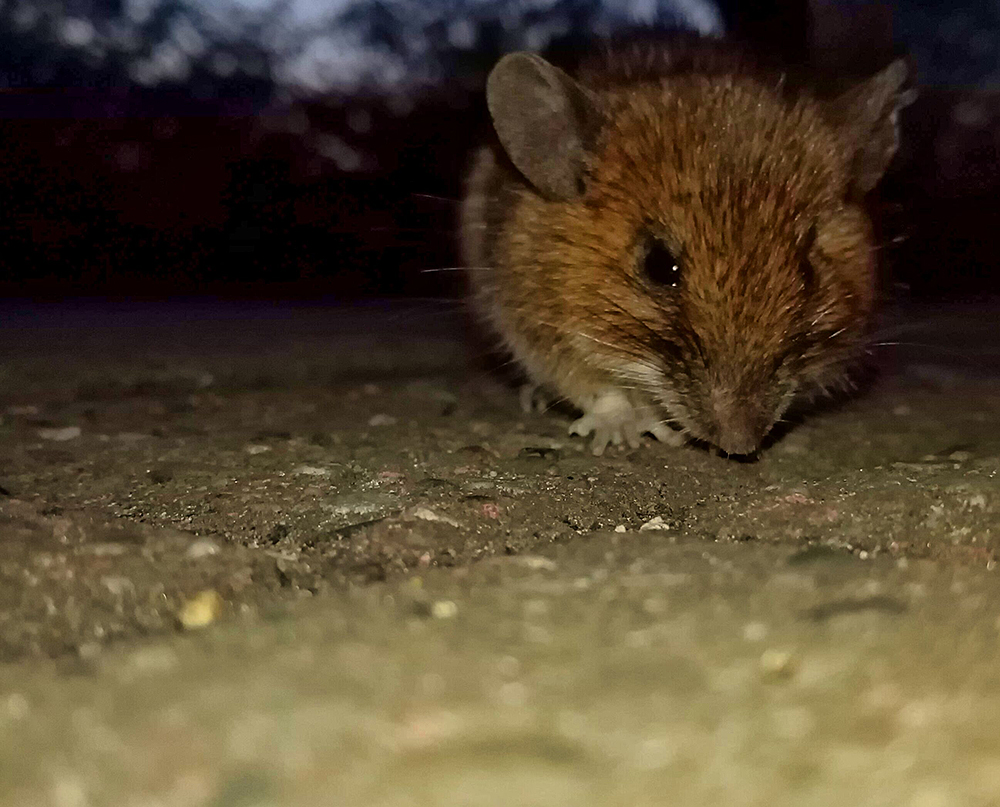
x: 674, y: 243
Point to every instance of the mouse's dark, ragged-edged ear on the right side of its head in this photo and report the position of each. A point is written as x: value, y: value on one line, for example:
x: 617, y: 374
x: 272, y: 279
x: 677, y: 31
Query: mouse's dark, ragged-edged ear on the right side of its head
x: 867, y: 117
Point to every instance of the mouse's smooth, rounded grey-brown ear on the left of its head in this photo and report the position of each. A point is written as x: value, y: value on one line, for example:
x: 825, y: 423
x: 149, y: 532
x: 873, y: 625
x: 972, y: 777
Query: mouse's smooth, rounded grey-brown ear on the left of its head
x: 545, y: 121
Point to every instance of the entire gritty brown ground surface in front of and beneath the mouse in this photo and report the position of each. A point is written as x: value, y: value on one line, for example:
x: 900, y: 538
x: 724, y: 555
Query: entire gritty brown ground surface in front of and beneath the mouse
x: 821, y: 626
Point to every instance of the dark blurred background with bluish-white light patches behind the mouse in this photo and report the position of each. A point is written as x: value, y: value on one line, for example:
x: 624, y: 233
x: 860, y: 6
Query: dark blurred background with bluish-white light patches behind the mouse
x: 314, y: 148
